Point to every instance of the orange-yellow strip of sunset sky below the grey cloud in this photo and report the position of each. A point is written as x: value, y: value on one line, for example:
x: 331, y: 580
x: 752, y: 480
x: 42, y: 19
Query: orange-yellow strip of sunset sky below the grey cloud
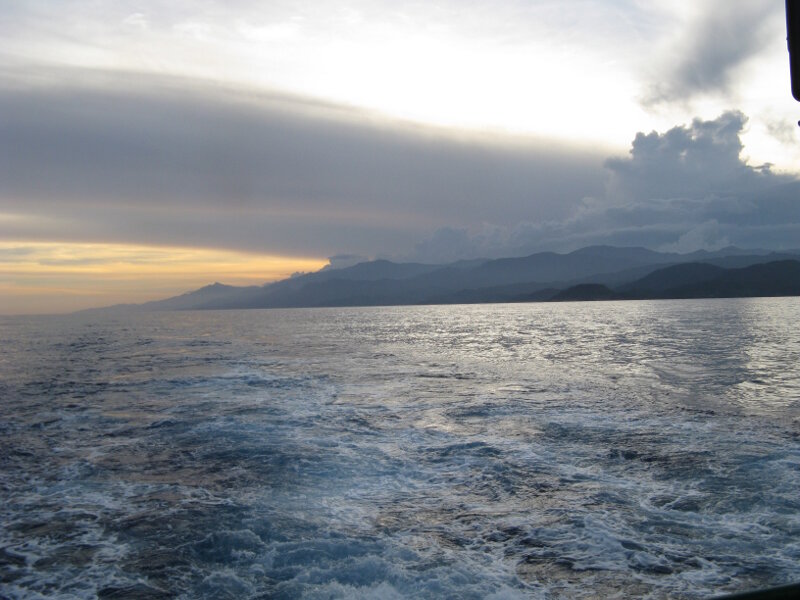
x: 58, y: 277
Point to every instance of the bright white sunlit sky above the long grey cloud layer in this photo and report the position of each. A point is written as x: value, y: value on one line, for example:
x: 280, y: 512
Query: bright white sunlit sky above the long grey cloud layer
x: 573, y: 72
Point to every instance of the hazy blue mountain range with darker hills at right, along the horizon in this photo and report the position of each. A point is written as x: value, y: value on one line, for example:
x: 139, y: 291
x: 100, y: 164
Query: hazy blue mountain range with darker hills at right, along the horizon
x: 592, y: 273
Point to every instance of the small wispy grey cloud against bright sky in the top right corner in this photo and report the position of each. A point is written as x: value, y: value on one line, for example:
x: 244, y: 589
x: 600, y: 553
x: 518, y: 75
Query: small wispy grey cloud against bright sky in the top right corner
x: 706, y: 58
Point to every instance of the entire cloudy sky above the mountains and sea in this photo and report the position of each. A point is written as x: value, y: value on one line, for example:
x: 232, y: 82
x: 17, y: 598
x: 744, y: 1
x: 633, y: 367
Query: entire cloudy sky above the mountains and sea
x: 149, y: 148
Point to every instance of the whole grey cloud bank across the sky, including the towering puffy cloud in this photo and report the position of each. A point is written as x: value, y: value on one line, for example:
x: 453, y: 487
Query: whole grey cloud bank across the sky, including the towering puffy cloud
x: 158, y: 161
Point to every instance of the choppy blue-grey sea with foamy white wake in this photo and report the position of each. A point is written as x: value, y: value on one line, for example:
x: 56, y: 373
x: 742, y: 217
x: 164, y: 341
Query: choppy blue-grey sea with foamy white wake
x: 574, y: 450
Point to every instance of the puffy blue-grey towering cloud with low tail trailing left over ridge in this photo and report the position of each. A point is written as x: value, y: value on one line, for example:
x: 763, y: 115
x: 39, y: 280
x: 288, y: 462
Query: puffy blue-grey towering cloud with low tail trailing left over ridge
x: 682, y: 190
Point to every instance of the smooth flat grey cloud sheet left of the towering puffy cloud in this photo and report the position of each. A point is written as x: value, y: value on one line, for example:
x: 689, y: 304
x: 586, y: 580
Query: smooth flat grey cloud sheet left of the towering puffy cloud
x: 152, y: 160
